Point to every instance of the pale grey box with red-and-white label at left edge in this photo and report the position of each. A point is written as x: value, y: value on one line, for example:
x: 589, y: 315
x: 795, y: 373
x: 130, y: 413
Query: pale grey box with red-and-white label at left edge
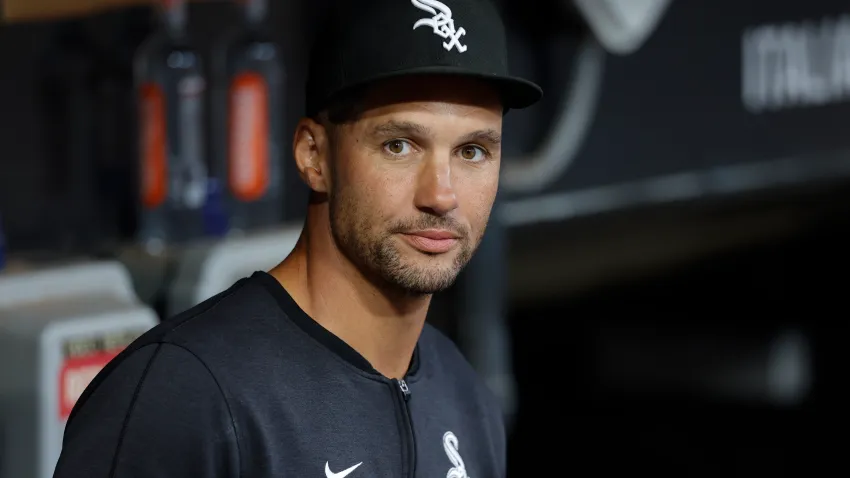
x: 59, y: 327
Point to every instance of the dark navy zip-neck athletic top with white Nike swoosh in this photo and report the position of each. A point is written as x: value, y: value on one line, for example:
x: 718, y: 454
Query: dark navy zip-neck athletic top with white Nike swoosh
x: 247, y: 385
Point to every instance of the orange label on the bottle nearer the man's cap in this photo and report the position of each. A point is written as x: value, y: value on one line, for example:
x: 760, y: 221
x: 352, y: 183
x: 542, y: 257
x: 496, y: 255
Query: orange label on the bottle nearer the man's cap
x: 248, y: 163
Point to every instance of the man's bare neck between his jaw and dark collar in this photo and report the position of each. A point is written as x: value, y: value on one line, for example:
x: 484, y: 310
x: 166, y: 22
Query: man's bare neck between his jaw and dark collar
x: 382, y: 327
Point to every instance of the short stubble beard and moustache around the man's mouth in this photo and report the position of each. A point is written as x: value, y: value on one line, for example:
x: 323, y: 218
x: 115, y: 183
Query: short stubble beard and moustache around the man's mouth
x: 380, y: 258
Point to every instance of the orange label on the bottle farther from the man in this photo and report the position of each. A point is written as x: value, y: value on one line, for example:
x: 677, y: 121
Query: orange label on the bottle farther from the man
x: 153, y: 145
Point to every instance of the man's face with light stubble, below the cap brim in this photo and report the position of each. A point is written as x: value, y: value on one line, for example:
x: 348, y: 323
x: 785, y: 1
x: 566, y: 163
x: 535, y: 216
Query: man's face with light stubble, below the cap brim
x: 414, y: 180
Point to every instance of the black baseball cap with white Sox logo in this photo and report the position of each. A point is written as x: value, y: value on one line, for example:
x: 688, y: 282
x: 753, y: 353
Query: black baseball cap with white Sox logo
x: 362, y: 41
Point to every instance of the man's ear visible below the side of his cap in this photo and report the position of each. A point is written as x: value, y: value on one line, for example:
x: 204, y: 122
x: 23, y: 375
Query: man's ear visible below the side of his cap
x: 311, y: 148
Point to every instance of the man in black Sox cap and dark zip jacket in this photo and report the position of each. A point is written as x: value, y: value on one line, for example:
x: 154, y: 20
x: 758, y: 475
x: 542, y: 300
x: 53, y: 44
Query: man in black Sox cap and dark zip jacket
x: 325, y: 364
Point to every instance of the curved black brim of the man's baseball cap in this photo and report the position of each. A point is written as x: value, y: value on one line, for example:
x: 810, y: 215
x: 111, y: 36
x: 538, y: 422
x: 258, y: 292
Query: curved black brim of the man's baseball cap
x: 517, y: 93
